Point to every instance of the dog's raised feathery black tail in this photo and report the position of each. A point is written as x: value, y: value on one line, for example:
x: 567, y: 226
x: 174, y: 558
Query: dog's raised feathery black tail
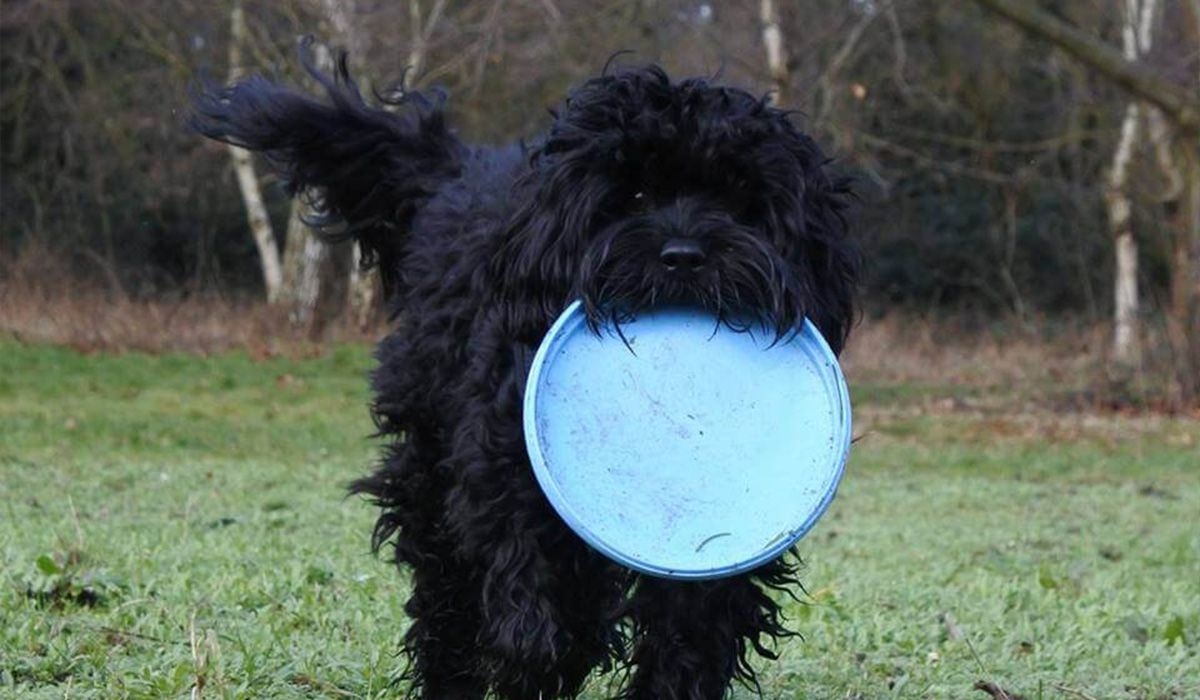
x: 368, y: 170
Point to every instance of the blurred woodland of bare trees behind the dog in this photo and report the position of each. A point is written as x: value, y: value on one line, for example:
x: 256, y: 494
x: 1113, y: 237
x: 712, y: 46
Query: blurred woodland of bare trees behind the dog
x: 1028, y: 165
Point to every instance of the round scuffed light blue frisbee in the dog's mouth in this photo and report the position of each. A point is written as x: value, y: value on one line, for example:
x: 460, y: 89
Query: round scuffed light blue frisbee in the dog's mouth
x: 695, y: 452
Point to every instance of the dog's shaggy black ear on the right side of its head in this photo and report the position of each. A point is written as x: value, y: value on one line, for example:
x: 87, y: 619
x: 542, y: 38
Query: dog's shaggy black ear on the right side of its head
x: 807, y: 208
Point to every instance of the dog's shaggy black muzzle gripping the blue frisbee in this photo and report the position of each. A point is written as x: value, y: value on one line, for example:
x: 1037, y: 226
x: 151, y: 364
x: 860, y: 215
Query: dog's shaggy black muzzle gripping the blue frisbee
x: 730, y: 273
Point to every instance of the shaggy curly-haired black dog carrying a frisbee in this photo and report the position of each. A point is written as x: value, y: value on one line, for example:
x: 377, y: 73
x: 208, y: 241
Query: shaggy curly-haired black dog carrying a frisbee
x: 643, y: 192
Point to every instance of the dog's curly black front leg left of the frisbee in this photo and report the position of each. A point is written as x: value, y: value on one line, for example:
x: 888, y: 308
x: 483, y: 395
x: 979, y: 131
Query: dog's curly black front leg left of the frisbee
x: 547, y: 599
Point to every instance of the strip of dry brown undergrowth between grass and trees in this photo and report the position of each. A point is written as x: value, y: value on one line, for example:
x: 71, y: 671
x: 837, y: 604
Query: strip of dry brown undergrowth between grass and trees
x: 1058, y: 364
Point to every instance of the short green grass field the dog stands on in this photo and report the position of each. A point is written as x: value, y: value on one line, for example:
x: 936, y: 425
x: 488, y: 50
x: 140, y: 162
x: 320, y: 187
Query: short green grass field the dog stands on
x: 173, y: 522
